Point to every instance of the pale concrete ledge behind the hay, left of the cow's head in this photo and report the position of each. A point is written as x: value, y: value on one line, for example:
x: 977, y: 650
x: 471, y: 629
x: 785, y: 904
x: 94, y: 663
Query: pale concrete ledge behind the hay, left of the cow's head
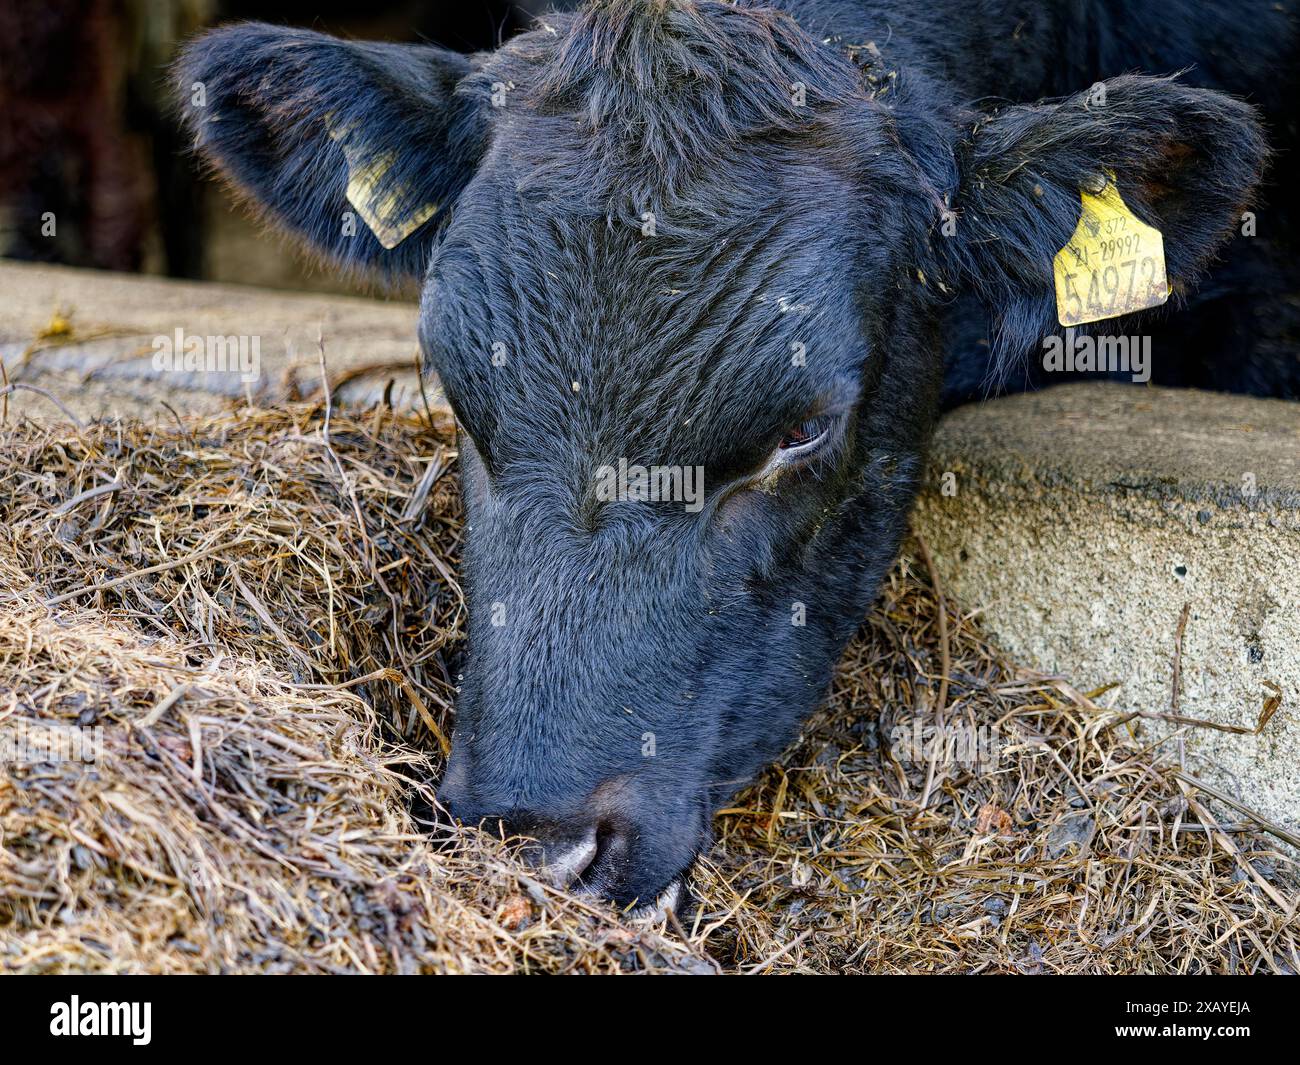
x: 105, y: 365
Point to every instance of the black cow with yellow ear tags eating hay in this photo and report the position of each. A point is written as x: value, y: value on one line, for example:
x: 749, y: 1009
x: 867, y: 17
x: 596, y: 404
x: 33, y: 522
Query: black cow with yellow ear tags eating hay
x: 668, y: 236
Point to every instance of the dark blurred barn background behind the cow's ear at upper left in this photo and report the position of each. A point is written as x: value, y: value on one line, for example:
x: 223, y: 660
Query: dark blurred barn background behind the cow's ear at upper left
x: 86, y: 129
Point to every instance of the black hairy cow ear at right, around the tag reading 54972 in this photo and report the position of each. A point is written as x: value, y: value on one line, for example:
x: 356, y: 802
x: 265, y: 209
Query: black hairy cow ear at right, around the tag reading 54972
x: 1184, y: 161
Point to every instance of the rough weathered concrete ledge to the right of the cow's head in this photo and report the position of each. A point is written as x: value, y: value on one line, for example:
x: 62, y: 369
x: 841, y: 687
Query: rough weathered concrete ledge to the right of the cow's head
x: 1082, y: 519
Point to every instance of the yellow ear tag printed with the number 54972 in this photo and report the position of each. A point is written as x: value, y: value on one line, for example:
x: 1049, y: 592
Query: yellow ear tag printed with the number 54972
x: 1112, y: 266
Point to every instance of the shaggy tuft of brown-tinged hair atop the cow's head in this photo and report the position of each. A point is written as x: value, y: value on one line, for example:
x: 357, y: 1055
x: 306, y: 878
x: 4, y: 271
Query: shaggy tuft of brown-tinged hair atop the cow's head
x: 636, y: 111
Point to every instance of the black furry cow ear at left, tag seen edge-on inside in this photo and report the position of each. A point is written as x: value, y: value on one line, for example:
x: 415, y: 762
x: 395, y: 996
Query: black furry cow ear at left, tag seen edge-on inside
x: 357, y: 149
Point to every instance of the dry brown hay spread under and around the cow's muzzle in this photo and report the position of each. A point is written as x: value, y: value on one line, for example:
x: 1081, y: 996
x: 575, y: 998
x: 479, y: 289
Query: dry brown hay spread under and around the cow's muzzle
x: 262, y: 616
